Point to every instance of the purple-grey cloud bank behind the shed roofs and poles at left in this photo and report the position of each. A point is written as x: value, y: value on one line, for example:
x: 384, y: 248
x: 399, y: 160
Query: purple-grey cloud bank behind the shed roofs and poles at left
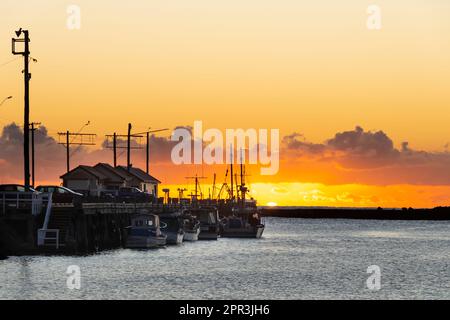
x: 51, y: 156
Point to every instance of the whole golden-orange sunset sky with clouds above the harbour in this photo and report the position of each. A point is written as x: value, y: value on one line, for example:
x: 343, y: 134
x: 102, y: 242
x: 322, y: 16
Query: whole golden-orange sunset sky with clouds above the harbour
x: 363, y: 114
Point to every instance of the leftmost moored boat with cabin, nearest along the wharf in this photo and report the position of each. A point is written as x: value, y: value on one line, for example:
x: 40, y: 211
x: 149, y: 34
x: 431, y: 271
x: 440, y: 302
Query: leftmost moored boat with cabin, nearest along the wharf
x: 145, y: 232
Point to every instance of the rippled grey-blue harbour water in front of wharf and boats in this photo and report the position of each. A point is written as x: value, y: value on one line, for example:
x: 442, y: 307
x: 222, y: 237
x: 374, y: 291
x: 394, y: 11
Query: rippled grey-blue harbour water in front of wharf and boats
x: 296, y: 259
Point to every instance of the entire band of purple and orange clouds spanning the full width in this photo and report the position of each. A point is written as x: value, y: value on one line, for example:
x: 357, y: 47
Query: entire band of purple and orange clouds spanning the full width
x: 350, y: 157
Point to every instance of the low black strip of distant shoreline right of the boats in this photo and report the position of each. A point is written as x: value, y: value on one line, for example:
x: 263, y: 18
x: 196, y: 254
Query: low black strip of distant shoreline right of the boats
x: 438, y: 213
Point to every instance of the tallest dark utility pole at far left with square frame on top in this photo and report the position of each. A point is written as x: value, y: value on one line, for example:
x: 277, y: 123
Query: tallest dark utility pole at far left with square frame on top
x: 26, y: 124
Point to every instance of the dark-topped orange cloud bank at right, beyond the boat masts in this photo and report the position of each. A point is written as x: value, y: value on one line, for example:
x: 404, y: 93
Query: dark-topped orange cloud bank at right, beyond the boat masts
x: 359, y: 156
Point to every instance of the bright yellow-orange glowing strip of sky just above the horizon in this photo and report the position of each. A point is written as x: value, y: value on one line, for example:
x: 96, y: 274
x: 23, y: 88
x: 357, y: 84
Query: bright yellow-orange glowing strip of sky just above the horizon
x: 349, y: 195
